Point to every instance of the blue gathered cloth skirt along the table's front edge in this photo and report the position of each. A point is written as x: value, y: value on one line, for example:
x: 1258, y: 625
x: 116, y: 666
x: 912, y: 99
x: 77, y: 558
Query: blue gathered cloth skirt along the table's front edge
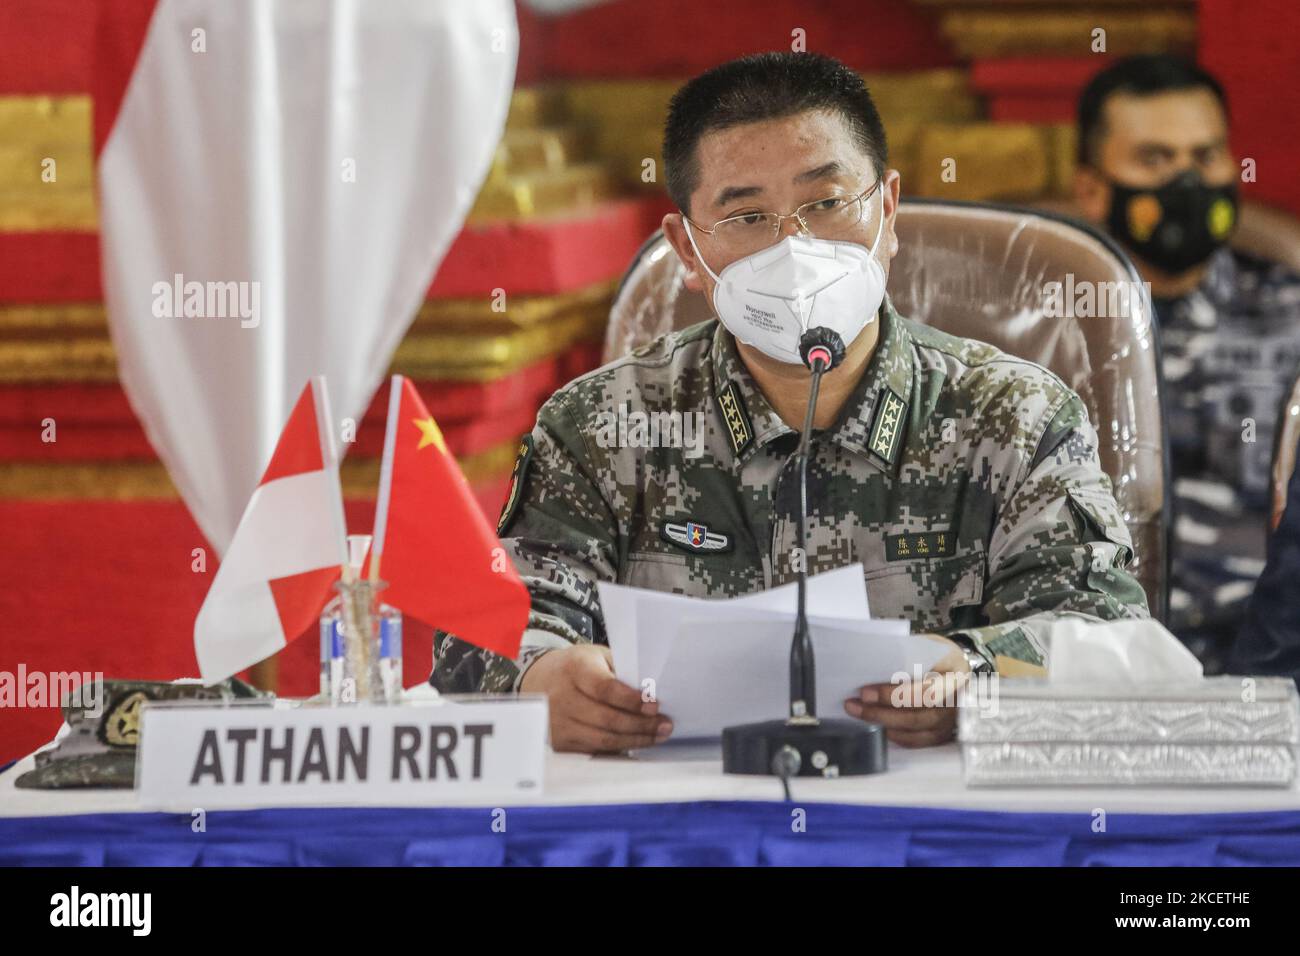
x: 721, y: 833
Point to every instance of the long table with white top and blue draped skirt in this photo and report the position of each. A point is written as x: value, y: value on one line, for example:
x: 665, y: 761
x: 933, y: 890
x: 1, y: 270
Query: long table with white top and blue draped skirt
x: 674, y: 807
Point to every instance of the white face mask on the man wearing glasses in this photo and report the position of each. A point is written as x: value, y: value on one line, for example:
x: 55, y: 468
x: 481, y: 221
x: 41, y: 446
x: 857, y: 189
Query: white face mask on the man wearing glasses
x: 773, y: 297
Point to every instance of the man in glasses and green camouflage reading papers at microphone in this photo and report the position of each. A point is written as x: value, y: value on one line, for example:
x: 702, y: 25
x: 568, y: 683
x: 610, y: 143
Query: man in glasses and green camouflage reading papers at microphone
x: 967, y: 482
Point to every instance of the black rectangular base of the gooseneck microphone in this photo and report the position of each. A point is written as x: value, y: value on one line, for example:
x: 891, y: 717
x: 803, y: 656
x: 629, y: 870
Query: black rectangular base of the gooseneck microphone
x: 826, y: 749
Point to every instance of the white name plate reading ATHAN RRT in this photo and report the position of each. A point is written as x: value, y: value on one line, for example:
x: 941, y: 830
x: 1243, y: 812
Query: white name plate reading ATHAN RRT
x: 241, y: 755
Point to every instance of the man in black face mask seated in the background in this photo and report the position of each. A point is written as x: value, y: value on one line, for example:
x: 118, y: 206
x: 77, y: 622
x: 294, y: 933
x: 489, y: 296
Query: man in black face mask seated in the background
x: 1155, y: 171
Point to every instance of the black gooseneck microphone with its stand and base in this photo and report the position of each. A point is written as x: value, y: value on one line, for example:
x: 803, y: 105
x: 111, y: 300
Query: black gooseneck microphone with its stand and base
x: 803, y: 745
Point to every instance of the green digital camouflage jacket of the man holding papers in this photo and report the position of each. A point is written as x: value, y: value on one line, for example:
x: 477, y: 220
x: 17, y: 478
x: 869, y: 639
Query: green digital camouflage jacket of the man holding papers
x: 965, y: 481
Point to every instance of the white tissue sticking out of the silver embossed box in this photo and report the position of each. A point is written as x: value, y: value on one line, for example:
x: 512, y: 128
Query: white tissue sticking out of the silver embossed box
x: 1119, y: 652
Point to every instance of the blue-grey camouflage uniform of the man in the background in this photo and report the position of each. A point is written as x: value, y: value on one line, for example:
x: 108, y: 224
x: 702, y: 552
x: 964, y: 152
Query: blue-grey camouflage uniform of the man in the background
x: 1232, y: 349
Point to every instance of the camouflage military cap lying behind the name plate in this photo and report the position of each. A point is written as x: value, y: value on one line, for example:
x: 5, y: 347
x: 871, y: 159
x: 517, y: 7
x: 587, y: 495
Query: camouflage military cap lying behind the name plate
x: 105, y: 728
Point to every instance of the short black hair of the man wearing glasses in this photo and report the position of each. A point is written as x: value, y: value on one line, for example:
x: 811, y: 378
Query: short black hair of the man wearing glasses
x: 764, y: 86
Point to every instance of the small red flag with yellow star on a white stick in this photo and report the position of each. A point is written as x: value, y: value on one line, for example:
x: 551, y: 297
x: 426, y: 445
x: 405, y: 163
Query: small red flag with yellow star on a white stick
x: 440, y: 556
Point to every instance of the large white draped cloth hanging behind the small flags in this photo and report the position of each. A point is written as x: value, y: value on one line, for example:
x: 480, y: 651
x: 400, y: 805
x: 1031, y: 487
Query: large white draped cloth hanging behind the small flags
x: 276, y: 194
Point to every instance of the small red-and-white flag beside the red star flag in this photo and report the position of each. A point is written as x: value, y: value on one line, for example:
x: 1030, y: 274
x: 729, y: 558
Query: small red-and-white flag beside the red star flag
x: 285, y: 555
